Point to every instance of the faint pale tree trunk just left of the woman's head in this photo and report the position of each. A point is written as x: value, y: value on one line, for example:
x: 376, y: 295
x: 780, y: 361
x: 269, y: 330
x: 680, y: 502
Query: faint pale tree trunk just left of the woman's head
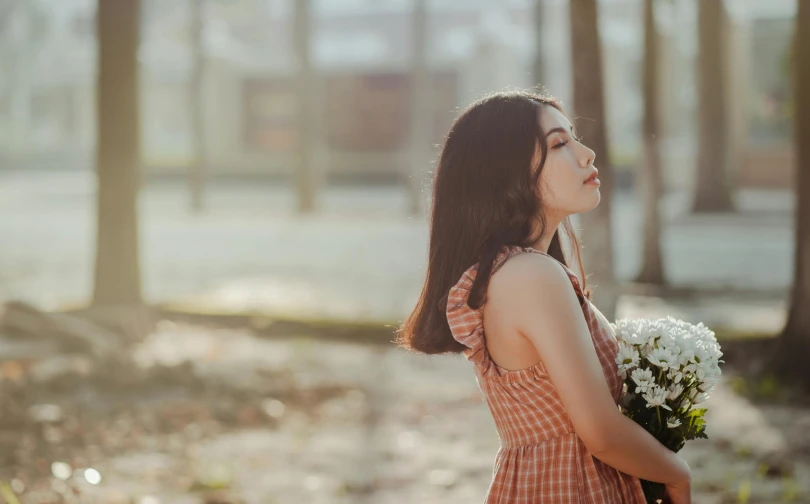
x: 421, y: 111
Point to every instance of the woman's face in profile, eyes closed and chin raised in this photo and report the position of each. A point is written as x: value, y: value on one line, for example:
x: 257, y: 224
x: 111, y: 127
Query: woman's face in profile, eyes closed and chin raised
x: 569, y: 164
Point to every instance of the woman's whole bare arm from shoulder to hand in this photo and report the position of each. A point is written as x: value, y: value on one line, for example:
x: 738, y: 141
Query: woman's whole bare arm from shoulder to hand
x: 535, y: 295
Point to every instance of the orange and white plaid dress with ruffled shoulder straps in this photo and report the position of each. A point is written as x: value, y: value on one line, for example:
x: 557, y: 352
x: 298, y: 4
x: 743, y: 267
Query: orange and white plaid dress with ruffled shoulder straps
x: 541, y: 459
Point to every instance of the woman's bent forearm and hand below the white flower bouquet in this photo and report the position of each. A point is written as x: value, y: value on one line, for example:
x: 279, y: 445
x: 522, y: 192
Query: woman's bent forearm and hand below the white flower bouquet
x: 634, y: 451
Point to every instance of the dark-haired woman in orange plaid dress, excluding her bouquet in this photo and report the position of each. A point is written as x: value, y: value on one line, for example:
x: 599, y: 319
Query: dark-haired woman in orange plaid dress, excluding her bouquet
x: 498, y: 289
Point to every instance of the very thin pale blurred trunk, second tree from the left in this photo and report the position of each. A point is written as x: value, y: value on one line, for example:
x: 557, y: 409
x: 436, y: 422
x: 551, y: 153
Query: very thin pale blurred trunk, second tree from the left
x: 197, y: 167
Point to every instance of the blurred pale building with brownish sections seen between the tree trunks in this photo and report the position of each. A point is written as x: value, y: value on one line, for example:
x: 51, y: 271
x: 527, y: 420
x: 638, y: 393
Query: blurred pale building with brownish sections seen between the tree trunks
x: 362, y: 53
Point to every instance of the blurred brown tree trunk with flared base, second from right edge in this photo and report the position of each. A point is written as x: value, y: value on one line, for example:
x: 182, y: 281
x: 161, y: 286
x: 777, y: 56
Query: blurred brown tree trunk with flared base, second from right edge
x: 713, y: 186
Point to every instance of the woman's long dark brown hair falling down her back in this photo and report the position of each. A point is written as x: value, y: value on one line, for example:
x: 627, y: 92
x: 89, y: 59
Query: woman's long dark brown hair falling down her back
x: 485, y: 197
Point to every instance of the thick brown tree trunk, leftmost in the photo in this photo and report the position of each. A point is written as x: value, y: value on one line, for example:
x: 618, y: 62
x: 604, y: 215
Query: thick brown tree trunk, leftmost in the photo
x: 117, y: 272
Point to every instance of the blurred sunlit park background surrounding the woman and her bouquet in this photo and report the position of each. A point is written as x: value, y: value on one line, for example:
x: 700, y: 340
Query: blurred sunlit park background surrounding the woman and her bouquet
x: 215, y: 215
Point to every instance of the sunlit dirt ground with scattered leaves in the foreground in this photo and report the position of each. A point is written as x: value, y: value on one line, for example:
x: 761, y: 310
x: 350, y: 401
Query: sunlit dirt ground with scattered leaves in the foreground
x: 213, y: 415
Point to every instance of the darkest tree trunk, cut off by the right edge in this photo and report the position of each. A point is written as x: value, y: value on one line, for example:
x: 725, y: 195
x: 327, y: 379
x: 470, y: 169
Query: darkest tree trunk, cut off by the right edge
x: 791, y: 360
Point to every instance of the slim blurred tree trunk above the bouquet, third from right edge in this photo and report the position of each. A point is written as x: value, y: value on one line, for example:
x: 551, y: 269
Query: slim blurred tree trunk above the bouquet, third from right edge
x: 652, y: 265
